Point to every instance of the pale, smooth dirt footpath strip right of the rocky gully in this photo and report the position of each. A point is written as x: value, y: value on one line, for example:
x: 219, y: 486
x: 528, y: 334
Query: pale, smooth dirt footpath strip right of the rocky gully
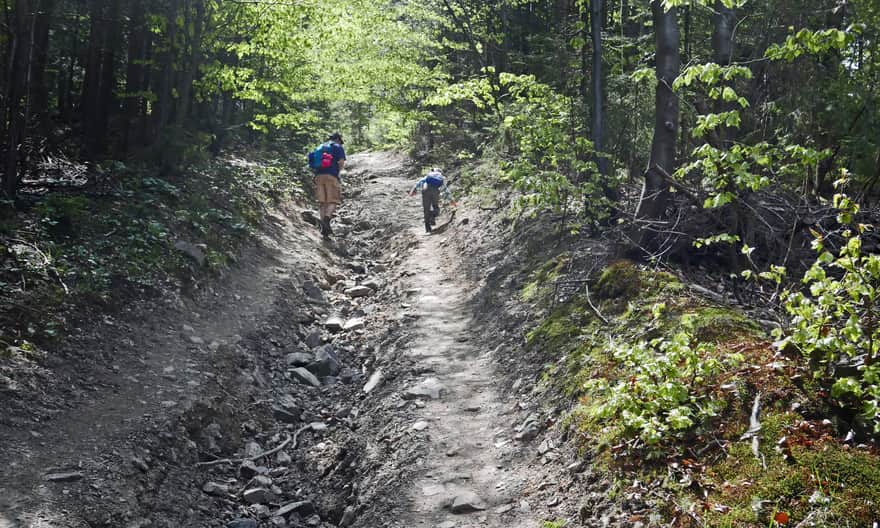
x: 468, y: 474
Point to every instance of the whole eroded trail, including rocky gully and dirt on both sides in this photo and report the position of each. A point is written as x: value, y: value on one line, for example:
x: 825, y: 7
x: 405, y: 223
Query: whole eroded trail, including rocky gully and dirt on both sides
x: 342, y: 383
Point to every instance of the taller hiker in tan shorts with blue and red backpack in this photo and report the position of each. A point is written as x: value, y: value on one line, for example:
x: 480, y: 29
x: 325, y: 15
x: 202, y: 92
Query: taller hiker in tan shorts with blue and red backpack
x: 327, y: 161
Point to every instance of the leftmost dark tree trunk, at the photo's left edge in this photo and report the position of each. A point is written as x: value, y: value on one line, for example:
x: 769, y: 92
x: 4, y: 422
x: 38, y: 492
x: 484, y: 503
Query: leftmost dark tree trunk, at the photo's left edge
x: 16, y: 95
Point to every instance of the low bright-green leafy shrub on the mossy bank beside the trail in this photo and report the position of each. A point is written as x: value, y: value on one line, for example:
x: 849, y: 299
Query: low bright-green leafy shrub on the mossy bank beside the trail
x: 666, y: 393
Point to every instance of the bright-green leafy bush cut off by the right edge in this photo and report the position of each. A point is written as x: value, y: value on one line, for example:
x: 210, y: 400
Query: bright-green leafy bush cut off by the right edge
x: 835, y: 322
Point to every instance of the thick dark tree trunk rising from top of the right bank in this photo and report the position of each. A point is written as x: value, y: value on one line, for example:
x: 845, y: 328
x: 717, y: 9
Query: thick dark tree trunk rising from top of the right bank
x: 656, y: 196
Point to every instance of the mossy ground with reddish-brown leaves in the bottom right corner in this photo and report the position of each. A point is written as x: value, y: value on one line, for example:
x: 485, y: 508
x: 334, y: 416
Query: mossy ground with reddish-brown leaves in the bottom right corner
x: 818, y: 478
